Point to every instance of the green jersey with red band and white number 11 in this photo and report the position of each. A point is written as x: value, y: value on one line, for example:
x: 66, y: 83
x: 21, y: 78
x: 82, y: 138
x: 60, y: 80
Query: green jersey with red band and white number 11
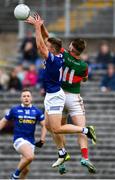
x: 73, y: 72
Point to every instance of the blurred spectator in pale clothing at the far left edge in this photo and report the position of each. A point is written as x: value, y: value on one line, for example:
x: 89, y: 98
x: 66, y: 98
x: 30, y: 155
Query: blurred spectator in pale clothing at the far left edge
x: 4, y: 78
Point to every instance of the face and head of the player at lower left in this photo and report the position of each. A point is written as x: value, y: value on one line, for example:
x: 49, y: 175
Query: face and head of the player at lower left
x: 26, y: 98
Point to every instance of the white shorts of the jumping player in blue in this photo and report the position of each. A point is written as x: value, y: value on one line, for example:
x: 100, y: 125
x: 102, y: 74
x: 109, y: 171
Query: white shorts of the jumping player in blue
x: 54, y: 102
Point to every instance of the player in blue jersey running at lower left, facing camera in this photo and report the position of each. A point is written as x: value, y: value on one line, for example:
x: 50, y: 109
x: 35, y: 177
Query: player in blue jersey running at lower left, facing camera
x: 25, y: 117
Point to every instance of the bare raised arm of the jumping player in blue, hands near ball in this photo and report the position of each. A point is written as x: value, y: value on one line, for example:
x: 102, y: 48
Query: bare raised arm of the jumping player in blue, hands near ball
x: 37, y: 22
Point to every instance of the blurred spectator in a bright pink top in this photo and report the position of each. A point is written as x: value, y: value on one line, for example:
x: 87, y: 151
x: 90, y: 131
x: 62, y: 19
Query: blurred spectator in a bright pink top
x: 31, y: 77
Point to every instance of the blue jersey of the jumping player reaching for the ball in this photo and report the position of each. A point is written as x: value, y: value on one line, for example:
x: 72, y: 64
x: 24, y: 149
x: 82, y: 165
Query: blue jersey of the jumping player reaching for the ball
x: 53, y: 73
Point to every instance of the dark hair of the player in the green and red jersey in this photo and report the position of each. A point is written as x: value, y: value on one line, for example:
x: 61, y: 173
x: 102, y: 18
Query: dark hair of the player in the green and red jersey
x: 79, y: 45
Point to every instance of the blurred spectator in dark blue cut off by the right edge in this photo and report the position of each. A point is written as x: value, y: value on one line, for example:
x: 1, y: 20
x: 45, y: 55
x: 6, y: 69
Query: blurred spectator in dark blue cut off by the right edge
x: 108, y: 81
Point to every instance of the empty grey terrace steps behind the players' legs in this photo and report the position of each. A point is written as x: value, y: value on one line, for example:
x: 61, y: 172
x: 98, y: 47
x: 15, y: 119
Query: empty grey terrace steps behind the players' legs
x: 99, y: 111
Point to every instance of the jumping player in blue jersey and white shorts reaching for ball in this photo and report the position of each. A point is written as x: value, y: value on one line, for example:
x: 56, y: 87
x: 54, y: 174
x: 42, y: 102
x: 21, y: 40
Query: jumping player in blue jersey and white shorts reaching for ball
x: 55, y: 97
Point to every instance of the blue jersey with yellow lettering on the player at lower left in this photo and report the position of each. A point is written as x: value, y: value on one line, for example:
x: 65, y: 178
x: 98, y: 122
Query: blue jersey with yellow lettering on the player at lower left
x: 25, y: 119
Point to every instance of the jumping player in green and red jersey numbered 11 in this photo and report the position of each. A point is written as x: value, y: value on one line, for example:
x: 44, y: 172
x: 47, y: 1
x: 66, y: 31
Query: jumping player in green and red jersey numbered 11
x: 75, y: 71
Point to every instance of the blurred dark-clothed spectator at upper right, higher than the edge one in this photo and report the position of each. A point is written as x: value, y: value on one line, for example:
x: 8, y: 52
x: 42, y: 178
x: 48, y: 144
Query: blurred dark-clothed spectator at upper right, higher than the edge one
x: 104, y: 56
